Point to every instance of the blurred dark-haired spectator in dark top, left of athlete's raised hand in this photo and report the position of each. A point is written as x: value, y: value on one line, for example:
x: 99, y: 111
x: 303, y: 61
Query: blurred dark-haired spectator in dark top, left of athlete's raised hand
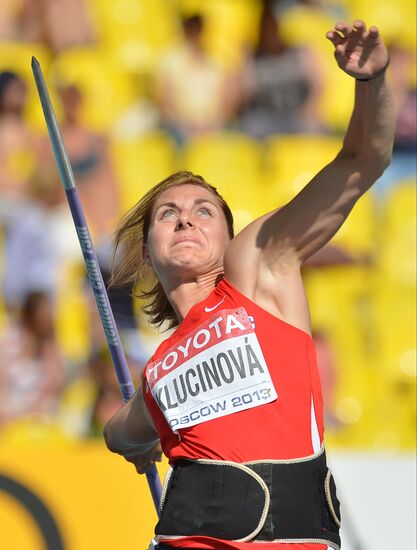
x: 286, y: 84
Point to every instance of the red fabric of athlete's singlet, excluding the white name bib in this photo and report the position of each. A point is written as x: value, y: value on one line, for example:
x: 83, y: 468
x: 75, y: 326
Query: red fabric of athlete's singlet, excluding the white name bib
x: 277, y: 430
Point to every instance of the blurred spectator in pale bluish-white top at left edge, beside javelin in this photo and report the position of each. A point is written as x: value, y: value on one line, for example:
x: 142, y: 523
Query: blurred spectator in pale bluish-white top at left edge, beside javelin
x: 31, y: 247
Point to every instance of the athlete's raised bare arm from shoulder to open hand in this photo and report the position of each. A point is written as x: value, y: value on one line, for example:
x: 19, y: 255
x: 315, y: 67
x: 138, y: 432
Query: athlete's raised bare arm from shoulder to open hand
x: 278, y: 243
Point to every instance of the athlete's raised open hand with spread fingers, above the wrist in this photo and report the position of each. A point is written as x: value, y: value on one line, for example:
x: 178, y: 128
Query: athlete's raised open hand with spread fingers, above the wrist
x: 359, y: 52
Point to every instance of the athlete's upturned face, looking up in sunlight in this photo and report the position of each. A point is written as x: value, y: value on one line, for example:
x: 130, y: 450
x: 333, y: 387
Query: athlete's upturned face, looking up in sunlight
x: 188, y: 232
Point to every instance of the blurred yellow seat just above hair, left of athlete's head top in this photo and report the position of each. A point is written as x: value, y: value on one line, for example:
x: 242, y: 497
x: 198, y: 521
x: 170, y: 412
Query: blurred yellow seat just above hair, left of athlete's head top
x: 141, y: 163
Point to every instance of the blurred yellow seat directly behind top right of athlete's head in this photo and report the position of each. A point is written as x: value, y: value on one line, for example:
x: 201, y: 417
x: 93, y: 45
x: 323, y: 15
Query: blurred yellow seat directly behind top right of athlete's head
x: 231, y: 162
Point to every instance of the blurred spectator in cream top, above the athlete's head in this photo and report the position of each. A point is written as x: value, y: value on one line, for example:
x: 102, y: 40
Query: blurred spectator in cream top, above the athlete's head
x: 194, y: 93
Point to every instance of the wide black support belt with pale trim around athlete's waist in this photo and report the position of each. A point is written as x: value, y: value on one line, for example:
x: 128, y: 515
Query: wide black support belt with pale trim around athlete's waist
x: 259, y: 501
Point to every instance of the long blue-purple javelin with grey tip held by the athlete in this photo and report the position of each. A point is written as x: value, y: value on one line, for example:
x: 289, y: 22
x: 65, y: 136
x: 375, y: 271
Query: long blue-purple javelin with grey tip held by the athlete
x: 93, y: 270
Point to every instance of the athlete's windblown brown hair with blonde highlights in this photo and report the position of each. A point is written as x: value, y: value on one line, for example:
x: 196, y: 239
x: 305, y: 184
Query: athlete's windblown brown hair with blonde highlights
x: 132, y: 234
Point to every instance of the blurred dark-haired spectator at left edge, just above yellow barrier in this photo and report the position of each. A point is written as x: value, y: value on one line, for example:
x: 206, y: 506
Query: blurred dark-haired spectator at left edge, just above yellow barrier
x: 31, y: 366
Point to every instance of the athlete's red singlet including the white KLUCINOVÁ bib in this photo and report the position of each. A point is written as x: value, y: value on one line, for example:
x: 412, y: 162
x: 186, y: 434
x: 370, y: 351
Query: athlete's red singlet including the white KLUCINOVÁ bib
x: 234, y: 382
